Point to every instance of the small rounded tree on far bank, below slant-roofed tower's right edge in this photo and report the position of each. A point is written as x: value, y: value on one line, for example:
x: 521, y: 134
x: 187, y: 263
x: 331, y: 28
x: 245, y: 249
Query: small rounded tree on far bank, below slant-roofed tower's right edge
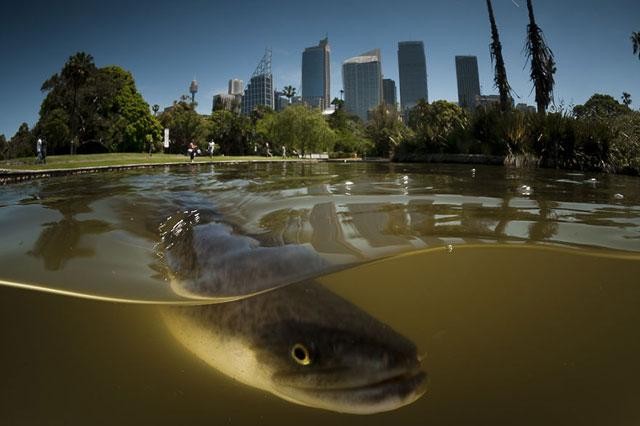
x: 386, y: 130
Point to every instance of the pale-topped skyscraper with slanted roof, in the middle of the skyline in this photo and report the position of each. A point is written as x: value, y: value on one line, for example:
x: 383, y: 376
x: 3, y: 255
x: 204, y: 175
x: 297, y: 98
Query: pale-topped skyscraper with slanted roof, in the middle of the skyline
x: 362, y: 80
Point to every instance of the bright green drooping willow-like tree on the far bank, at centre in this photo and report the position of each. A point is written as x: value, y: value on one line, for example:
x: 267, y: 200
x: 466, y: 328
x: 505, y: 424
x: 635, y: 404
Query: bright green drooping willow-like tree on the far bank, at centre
x: 298, y: 128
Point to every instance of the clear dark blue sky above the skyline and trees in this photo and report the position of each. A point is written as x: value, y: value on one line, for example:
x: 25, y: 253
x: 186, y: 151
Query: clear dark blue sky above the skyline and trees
x: 166, y: 44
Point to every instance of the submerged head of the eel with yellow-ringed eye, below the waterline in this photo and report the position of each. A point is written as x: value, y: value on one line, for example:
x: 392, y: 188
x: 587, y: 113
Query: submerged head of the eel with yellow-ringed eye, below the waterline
x: 306, y: 345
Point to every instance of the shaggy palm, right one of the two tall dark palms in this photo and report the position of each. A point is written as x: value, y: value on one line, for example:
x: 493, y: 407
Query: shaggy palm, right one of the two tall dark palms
x: 543, y: 65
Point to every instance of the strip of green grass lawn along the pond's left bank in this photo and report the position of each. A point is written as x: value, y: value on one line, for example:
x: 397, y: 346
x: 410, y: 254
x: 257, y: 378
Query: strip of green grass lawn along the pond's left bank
x: 124, y: 159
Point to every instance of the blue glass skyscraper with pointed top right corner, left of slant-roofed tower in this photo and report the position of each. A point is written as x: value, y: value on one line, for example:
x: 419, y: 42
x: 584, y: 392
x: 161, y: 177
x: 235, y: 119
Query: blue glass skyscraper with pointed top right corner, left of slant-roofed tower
x: 316, y: 75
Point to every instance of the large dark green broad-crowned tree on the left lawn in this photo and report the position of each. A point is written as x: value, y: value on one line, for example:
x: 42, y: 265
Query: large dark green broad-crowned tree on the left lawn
x: 89, y: 105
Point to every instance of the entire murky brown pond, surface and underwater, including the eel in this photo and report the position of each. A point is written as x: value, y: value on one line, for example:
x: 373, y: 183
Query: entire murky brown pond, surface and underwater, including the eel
x: 518, y: 291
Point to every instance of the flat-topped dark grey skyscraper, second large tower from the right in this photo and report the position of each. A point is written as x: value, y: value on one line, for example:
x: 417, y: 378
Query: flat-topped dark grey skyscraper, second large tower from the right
x: 412, y: 67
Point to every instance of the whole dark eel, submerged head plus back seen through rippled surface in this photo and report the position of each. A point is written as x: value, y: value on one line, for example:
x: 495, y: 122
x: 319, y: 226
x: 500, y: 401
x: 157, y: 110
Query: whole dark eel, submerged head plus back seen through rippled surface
x: 280, y: 331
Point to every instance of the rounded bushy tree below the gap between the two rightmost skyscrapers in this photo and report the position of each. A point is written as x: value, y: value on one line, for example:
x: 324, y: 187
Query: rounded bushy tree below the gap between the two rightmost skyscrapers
x: 435, y: 125
